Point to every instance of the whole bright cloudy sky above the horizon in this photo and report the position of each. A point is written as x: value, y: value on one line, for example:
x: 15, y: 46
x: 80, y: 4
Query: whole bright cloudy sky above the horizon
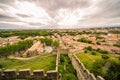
x: 28, y: 14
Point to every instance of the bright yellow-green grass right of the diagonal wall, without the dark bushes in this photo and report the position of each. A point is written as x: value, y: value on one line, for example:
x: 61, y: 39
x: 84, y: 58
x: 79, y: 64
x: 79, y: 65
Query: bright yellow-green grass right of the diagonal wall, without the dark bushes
x: 88, y: 59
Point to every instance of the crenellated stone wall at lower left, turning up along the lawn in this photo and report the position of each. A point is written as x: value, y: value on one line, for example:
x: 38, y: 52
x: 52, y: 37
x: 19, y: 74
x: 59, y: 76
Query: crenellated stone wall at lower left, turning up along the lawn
x: 28, y: 74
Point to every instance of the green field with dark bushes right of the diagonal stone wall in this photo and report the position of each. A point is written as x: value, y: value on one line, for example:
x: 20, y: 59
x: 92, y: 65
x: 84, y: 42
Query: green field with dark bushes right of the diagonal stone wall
x: 107, y: 68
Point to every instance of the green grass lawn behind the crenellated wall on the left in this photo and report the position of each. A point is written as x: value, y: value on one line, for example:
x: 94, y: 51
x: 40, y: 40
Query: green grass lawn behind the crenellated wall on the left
x: 44, y: 61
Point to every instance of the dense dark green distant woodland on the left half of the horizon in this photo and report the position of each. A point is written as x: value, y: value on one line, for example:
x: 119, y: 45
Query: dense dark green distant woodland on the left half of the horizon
x: 25, y: 33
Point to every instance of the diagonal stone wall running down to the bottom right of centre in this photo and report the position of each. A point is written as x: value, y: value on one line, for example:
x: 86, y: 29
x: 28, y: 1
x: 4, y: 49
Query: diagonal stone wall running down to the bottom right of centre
x: 82, y: 72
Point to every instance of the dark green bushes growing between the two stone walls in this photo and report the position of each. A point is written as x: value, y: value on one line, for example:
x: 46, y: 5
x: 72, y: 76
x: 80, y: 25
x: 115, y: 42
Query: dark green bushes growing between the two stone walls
x: 66, y: 69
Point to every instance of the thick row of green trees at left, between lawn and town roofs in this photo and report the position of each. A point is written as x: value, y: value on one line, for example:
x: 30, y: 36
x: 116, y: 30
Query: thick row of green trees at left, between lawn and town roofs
x: 11, y: 49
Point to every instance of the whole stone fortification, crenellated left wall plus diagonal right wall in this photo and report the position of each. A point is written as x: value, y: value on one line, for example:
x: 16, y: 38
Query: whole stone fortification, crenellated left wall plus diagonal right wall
x: 27, y: 74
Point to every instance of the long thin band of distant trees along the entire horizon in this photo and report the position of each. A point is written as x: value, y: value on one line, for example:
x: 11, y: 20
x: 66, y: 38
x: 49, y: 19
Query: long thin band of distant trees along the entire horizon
x: 25, y: 33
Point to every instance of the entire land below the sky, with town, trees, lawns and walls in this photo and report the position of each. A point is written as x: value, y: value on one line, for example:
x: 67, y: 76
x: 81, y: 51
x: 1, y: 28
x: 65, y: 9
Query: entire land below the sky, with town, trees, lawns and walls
x: 57, y: 54
